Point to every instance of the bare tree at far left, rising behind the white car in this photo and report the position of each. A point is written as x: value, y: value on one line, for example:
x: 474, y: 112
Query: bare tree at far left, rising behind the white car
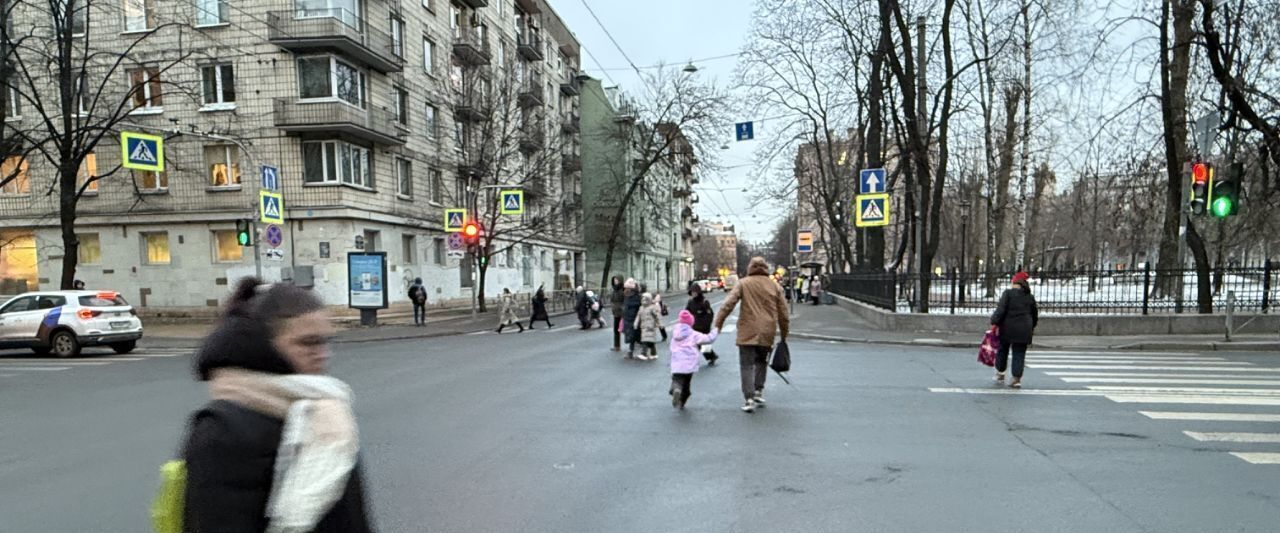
x: 71, y: 88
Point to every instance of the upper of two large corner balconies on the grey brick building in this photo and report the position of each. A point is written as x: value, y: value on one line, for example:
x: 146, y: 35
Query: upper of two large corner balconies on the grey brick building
x: 333, y: 30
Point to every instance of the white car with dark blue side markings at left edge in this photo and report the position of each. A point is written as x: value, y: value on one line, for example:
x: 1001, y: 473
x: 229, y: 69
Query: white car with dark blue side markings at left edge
x: 63, y: 322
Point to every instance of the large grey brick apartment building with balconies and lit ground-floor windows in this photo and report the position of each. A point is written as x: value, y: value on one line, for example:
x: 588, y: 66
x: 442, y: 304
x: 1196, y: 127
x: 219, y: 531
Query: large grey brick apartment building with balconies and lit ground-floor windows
x: 380, y: 116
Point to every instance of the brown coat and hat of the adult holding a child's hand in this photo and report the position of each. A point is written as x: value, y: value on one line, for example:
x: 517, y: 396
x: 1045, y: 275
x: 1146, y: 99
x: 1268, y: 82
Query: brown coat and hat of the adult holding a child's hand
x: 765, y: 309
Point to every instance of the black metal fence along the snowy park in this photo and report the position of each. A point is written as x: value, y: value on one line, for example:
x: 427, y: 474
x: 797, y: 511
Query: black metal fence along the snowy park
x: 1110, y: 291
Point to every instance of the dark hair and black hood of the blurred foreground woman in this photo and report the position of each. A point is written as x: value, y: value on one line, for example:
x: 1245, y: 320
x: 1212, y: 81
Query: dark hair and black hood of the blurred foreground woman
x: 250, y: 324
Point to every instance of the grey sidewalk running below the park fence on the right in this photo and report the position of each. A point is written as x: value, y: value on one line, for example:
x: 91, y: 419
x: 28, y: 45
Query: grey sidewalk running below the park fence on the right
x: 834, y: 324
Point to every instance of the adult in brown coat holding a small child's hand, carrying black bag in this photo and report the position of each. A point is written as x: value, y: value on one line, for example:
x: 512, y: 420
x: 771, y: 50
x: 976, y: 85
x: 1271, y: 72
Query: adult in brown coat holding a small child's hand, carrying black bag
x: 765, y: 313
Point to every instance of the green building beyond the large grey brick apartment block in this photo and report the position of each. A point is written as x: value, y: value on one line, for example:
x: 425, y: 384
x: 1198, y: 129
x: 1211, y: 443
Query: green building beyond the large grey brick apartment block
x: 656, y: 238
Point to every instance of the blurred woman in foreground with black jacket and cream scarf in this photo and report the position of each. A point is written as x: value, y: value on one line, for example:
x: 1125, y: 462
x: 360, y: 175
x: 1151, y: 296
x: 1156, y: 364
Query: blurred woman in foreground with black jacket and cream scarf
x: 268, y: 353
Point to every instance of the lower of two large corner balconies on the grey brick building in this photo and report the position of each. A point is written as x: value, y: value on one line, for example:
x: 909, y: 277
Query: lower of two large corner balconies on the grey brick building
x: 330, y: 119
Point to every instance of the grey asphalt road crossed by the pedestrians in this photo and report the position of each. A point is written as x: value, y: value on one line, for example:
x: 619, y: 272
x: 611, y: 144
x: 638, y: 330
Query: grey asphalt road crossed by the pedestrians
x: 552, y: 432
